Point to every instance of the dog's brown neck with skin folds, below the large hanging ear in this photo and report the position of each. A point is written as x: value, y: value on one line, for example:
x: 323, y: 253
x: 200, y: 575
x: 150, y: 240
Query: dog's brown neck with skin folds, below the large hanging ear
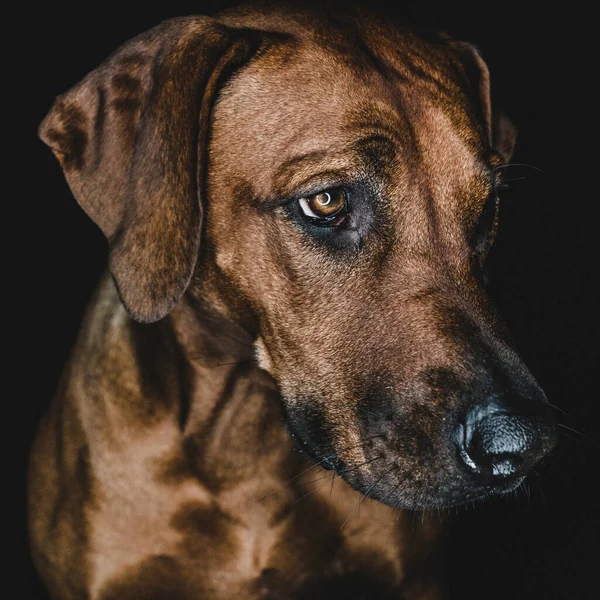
x: 190, y: 367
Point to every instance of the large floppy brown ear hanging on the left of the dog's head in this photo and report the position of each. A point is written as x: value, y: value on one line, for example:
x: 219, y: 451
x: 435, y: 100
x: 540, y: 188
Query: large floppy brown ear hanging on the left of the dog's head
x: 131, y: 139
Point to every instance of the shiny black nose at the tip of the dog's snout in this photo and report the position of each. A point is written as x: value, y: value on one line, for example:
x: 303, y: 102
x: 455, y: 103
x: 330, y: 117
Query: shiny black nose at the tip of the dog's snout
x: 497, y: 446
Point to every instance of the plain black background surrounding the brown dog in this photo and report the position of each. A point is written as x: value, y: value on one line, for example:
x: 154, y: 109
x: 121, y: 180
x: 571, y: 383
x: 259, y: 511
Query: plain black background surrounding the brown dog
x: 544, y: 65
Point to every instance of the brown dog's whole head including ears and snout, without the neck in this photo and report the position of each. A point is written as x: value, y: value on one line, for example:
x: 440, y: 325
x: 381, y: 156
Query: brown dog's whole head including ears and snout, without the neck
x: 336, y: 178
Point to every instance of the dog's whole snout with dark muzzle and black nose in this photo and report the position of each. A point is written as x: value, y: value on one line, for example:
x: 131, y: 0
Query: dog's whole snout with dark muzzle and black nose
x: 448, y: 419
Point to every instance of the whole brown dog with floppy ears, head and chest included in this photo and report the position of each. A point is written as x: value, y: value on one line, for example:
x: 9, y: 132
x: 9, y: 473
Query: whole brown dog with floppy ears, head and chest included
x: 317, y: 191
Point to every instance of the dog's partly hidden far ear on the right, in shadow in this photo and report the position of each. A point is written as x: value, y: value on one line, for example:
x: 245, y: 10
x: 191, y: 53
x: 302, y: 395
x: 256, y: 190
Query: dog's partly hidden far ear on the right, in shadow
x: 500, y: 129
